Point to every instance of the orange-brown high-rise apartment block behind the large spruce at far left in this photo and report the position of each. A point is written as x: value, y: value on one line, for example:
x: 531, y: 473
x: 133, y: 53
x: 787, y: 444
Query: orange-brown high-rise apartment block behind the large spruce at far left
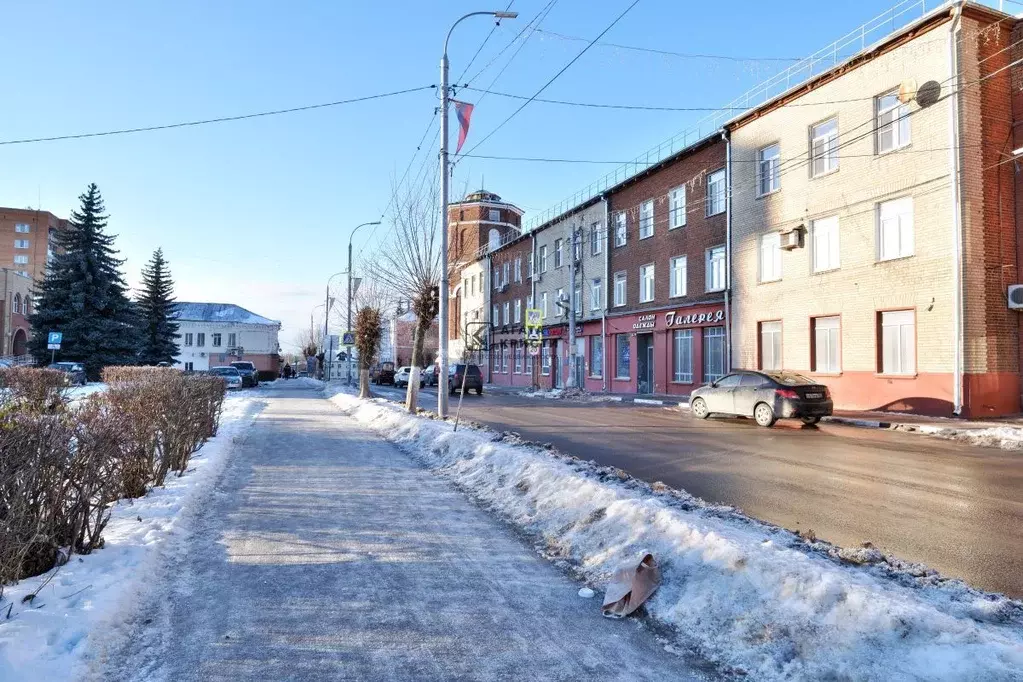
x: 26, y: 241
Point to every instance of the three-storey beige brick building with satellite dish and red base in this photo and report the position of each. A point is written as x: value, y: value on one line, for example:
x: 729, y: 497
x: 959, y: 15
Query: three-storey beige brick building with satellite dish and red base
x: 875, y: 222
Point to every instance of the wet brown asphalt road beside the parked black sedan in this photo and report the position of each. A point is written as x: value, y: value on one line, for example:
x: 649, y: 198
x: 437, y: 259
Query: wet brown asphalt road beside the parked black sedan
x: 954, y: 508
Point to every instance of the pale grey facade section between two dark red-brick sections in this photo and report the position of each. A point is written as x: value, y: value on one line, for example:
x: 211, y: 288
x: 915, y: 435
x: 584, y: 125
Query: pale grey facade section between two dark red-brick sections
x: 557, y: 296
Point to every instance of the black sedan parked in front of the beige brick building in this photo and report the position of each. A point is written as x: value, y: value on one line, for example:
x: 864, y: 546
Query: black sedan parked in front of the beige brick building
x: 766, y: 396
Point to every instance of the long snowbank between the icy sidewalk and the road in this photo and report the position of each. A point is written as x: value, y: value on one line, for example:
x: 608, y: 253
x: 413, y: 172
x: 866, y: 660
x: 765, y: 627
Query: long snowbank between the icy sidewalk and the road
x: 754, y: 599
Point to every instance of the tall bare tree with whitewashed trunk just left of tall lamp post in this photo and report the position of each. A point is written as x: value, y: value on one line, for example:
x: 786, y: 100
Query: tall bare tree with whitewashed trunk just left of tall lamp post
x: 412, y: 268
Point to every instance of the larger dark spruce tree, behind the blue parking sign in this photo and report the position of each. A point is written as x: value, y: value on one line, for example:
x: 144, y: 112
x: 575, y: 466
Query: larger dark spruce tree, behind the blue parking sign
x: 84, y: 296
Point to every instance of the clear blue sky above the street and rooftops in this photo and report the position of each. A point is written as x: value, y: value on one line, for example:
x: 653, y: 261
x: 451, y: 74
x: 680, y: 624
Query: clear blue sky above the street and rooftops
x: 258, y: 212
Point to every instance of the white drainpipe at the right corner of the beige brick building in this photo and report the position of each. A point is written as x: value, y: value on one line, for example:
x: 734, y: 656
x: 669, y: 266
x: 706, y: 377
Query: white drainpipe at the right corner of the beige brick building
x: 954, y: 155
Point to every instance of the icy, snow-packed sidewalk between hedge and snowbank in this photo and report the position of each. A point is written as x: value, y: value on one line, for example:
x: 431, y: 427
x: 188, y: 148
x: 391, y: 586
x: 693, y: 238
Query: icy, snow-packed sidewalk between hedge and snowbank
x: 329, y: 555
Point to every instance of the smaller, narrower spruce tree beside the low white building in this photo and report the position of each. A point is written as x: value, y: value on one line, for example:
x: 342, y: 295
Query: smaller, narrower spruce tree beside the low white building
x: 156, y: 313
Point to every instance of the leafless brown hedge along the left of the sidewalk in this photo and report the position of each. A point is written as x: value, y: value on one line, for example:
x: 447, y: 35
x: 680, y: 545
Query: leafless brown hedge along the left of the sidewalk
x: 63, y: 466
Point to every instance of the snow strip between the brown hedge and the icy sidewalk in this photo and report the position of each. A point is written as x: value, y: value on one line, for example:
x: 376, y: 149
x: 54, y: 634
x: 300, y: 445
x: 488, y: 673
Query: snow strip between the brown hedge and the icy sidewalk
x: 86, y: 602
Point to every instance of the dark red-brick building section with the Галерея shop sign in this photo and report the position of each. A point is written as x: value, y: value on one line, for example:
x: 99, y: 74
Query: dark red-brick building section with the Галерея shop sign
x: 668, y: 317
